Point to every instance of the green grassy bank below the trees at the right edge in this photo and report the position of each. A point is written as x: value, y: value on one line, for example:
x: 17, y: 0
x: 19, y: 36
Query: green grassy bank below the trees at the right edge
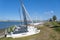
x: 55, y: 25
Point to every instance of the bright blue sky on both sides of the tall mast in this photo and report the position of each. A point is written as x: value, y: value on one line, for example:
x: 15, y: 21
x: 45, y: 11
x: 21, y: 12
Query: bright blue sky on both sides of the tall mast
x: 42, y: 9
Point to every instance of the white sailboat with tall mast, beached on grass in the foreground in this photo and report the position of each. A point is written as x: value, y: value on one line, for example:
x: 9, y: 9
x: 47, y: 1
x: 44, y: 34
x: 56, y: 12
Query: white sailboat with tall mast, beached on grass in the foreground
x: 25, y: 29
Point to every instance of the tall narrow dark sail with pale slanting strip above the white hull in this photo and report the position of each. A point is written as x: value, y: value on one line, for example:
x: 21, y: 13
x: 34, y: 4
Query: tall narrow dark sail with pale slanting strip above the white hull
x: 26, y: 15
